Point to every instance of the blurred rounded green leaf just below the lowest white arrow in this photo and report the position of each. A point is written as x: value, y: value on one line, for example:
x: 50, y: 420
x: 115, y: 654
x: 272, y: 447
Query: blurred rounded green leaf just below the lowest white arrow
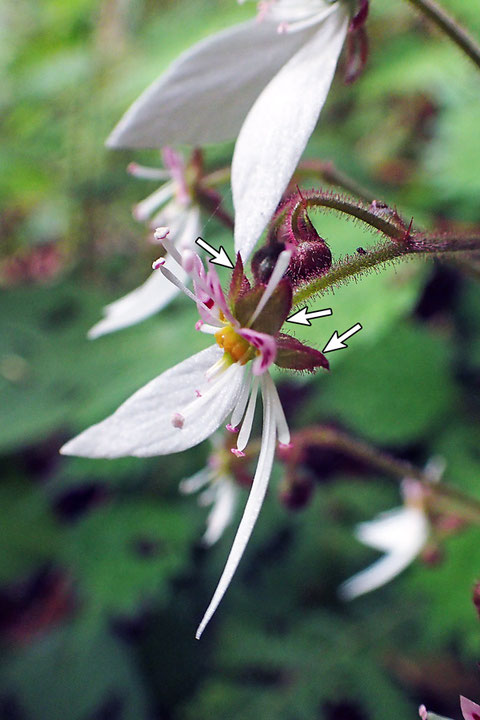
x: 394, y: 391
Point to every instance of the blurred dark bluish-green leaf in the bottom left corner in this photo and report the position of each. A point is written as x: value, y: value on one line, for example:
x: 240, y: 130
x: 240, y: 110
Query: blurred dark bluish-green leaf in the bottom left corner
x: 74, y: 673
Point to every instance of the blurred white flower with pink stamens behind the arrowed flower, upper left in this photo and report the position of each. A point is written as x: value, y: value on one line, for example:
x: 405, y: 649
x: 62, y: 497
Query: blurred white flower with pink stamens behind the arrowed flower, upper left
x: 171, y: 205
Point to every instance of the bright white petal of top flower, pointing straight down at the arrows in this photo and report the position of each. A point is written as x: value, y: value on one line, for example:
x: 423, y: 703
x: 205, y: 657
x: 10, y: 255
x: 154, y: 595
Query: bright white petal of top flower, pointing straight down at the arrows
x: 278, y: 127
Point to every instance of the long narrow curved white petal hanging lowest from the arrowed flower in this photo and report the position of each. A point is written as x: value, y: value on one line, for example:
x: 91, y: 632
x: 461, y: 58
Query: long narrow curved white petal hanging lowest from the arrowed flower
x: 252, y: 509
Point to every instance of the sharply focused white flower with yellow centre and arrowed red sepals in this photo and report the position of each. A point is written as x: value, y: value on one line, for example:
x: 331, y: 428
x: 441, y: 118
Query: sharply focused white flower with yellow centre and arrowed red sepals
x: 186, y: 404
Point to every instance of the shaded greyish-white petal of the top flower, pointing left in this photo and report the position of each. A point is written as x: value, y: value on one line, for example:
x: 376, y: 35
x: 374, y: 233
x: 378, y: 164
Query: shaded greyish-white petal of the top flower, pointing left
x: 204, y: 96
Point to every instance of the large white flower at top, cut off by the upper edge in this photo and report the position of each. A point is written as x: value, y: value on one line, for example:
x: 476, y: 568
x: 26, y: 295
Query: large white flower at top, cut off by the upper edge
x: 264, y: 81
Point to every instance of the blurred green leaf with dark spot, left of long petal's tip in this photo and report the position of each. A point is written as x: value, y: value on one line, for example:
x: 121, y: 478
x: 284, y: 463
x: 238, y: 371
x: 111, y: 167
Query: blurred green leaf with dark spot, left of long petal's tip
x: 125, y: 553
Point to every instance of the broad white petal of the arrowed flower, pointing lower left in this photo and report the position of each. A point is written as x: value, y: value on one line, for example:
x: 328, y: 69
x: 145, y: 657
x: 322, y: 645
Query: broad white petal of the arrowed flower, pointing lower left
x: 143, y: 427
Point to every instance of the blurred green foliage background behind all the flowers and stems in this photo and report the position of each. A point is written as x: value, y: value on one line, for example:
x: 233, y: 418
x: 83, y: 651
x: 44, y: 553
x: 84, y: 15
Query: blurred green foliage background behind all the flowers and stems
x: 103, y: 578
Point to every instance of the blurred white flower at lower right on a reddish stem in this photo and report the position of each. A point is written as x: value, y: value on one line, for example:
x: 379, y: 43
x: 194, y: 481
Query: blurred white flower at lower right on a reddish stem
x: 400, y: 533
